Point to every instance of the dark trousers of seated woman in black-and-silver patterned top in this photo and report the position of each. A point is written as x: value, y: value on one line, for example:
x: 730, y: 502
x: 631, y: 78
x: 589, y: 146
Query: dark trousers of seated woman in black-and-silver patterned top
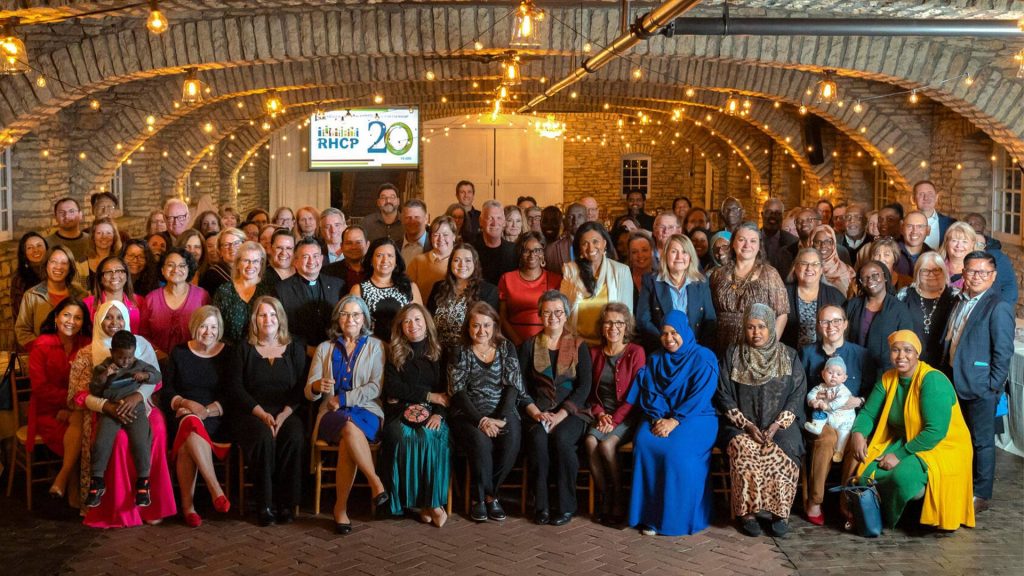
x: 491, y: 460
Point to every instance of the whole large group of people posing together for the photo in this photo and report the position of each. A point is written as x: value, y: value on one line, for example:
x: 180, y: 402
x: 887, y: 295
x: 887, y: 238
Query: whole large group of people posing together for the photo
x: 506, y: 330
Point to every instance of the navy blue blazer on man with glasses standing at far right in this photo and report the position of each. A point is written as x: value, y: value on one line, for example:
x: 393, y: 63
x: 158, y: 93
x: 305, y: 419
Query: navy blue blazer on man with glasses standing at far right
x: 982, y: 365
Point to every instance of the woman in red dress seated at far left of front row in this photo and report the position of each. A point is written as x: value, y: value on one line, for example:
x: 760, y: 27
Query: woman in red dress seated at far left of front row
x: 65, y: 333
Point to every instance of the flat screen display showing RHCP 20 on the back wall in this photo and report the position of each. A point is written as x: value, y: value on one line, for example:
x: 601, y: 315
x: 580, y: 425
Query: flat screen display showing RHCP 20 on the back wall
x: 365, y: 139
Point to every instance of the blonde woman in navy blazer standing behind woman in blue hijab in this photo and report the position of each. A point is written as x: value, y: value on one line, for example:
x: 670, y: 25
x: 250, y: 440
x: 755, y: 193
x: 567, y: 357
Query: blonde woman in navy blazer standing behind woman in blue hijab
x: 677, y: 285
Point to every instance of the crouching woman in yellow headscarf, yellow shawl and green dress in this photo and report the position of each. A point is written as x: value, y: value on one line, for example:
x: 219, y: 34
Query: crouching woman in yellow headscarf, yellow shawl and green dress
x: 920, y: 445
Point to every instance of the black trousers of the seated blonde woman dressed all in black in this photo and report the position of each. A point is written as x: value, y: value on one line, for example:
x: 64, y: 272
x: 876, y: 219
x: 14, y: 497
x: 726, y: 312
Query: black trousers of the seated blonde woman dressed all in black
x: 275, y: 463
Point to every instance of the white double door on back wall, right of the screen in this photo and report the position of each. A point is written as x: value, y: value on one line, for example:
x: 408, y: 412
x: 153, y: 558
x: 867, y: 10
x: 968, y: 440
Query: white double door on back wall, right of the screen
x: 503, y: 161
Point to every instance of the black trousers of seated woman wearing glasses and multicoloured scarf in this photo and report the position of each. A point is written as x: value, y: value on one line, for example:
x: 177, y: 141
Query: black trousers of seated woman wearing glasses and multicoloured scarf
x: 560, y: 449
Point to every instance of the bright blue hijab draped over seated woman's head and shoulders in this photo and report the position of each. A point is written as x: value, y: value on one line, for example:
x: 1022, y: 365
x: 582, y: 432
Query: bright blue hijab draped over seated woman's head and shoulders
x: 680, y: 384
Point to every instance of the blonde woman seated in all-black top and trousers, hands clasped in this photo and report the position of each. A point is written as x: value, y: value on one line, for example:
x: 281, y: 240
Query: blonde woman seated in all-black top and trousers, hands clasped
x: 266, y: 388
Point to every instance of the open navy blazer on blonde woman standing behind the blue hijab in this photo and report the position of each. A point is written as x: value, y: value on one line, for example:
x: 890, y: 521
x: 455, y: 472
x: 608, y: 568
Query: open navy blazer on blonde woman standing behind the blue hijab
x: 655, y: 303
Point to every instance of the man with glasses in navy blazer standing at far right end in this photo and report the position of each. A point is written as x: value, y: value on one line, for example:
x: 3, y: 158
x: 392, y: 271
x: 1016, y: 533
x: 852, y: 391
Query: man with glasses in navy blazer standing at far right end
x: 980, y: 341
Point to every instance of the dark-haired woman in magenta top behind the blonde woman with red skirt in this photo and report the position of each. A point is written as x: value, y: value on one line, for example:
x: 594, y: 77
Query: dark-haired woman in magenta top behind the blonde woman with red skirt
x: 167, y: 310
